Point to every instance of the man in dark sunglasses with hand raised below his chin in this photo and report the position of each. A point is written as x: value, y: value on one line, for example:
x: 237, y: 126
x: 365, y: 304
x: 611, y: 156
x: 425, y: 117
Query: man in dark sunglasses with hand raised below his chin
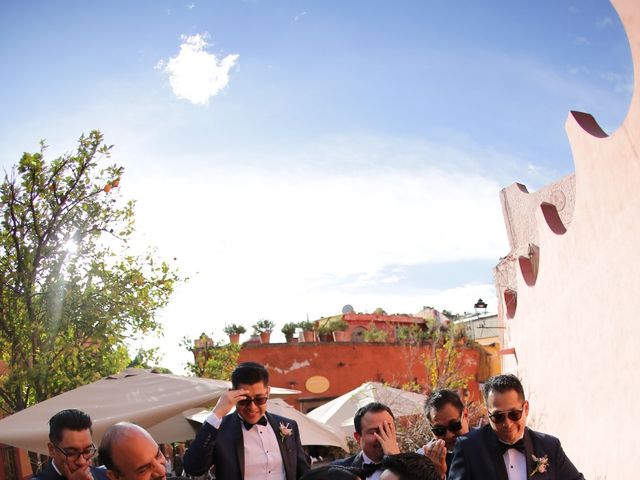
x: 448, y: 419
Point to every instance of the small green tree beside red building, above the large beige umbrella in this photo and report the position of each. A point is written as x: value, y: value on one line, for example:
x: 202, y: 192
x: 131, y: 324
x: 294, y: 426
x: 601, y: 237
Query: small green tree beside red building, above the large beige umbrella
x: 211, y: 359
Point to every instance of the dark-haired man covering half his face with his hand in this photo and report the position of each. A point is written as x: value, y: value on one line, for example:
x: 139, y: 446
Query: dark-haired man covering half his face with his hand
x: 375, y: 431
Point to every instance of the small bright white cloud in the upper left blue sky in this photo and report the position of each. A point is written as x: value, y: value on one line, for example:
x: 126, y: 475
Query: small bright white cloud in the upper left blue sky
x: 195, y: 74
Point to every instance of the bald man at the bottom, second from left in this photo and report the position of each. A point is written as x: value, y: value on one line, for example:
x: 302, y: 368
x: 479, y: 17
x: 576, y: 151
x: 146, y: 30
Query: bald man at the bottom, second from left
x: 129, y: 452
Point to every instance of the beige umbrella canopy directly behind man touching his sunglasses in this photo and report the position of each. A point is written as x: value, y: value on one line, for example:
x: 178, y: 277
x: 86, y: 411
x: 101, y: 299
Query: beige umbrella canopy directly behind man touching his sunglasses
x: 312, y: 432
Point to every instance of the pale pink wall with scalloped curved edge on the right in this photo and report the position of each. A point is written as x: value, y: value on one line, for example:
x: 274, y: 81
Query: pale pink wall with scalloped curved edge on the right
x: 575, y: 325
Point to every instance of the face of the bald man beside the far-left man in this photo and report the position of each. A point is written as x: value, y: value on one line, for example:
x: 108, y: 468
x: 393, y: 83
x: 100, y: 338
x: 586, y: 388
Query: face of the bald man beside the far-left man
x: 137, y: 457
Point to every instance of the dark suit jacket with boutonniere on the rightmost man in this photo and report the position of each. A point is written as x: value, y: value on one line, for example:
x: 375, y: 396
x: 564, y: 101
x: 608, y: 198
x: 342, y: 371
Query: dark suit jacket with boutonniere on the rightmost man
x: 477, y: 456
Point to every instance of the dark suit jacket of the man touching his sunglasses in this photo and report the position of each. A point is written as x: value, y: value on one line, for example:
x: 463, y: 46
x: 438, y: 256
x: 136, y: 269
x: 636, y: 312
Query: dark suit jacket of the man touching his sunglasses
x: 224, y: 448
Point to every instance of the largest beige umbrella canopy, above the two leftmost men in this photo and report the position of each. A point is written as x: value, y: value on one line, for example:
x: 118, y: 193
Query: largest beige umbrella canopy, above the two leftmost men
x: 148, y: 399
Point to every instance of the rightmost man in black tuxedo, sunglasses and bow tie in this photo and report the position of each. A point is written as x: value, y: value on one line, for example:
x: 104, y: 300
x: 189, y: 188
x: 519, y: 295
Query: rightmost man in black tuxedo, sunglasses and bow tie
x: 506, y: 449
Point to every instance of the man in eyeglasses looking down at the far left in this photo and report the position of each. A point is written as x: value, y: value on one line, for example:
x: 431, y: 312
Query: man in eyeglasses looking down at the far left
x: 70, y: 449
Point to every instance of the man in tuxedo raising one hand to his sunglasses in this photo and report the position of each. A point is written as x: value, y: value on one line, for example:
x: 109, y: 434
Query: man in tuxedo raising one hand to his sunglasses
x: 251, y: 443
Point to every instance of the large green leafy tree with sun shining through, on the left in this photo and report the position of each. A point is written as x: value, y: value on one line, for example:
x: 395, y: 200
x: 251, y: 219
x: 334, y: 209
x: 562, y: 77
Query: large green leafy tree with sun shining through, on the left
x: 71, y: 290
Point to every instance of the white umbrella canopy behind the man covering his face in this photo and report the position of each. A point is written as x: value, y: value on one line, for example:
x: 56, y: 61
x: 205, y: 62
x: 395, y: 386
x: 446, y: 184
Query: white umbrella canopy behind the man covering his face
x: 340, y: 411
